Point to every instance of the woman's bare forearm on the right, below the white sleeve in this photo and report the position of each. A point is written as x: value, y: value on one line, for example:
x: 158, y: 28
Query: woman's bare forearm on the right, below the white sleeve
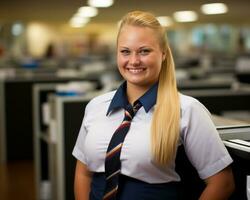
x: 219, y: 186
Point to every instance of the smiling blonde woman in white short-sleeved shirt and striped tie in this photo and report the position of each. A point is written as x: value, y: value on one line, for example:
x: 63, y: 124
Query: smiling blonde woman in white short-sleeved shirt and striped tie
x: 165, y: 119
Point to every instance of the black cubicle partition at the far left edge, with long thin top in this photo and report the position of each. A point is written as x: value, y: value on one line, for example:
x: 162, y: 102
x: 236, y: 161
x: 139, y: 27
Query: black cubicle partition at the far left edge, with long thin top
x: 16, y: 114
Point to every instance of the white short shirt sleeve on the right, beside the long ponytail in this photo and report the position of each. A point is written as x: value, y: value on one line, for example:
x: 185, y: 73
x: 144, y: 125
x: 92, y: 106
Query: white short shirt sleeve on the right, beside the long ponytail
x: 202, y: 143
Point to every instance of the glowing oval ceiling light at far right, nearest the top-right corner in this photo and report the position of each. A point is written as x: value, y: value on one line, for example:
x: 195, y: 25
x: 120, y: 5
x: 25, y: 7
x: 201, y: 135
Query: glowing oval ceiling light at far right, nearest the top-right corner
x: 214, y: 8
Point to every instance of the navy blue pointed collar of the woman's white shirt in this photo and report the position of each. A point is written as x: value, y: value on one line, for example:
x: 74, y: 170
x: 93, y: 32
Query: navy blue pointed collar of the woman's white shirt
x: 120, y: 99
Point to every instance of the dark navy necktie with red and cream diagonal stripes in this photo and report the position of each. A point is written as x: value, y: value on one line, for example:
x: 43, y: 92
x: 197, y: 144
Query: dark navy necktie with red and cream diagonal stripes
x: 112, y: 160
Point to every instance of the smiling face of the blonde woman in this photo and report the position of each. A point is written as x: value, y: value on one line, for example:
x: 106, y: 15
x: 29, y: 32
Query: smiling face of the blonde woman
x: 139, y: 56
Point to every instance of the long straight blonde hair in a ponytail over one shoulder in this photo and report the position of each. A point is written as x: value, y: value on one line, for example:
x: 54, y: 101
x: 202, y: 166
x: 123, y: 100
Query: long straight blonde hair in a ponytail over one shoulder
x: 166, y: 117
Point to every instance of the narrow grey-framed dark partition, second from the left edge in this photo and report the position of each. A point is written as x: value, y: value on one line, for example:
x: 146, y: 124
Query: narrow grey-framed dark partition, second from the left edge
x: 41, y: 92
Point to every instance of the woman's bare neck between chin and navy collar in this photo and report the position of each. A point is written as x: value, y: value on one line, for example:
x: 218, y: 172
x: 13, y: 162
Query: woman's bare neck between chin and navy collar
x: 135, y: 92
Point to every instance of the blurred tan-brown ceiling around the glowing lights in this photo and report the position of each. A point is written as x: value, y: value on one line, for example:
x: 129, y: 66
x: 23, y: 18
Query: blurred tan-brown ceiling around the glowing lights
x: 60, y: 11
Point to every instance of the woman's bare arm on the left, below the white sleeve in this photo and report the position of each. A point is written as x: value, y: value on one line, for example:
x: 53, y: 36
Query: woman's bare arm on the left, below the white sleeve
x: 82, y: 181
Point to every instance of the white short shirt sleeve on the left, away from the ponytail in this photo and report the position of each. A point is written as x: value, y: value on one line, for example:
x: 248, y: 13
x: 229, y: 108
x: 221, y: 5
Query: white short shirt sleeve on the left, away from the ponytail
x: 78, y: 151
